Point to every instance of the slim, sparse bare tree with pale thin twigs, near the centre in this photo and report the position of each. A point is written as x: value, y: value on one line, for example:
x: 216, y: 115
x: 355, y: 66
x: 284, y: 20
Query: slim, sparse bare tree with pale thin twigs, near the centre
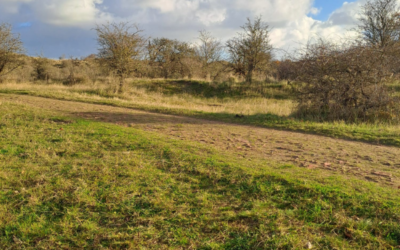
x: 210, y: 51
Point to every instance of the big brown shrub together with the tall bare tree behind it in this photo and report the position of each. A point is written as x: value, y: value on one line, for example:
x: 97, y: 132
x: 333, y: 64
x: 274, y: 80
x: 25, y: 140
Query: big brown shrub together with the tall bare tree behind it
x: 349, y: 80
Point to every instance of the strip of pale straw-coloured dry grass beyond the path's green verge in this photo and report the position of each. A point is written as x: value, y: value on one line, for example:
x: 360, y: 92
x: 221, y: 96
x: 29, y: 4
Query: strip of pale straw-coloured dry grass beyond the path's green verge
x: 135, y: 94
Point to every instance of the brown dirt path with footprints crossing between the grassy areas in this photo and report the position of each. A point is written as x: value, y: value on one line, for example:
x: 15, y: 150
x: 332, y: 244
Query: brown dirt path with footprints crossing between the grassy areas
x: 365, y: 161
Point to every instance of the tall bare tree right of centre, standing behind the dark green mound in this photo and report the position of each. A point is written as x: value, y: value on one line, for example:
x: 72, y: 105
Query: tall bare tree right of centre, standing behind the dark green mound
x: 251, y: 50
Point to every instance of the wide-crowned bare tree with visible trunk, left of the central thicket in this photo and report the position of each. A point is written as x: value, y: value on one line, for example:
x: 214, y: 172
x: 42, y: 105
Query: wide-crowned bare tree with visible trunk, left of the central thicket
x: 120, y: 48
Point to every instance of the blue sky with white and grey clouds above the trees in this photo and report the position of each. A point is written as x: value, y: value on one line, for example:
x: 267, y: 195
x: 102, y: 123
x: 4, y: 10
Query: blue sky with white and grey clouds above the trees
x: 64, y: 27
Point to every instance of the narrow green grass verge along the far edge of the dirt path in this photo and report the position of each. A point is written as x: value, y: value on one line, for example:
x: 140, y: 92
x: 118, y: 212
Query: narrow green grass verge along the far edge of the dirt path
x: 377, y: 133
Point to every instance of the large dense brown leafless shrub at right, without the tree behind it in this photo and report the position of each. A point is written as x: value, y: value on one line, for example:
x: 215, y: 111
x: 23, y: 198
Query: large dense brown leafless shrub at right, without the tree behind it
x: 345, y: 82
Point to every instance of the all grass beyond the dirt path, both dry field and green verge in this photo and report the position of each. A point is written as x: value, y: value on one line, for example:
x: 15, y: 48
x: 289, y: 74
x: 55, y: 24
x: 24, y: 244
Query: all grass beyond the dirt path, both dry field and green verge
x: 268, y: 105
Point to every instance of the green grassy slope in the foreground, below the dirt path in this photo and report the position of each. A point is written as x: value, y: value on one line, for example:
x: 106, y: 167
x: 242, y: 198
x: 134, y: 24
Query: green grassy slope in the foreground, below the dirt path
x: 69, y: 183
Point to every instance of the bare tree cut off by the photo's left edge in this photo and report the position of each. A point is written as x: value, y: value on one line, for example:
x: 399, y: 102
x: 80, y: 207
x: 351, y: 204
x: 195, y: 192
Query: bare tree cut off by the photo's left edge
x: 11, y: 49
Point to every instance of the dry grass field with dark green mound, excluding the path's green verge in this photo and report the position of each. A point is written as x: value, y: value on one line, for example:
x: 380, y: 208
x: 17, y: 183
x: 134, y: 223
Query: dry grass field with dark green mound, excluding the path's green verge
x: 181, y: 96
